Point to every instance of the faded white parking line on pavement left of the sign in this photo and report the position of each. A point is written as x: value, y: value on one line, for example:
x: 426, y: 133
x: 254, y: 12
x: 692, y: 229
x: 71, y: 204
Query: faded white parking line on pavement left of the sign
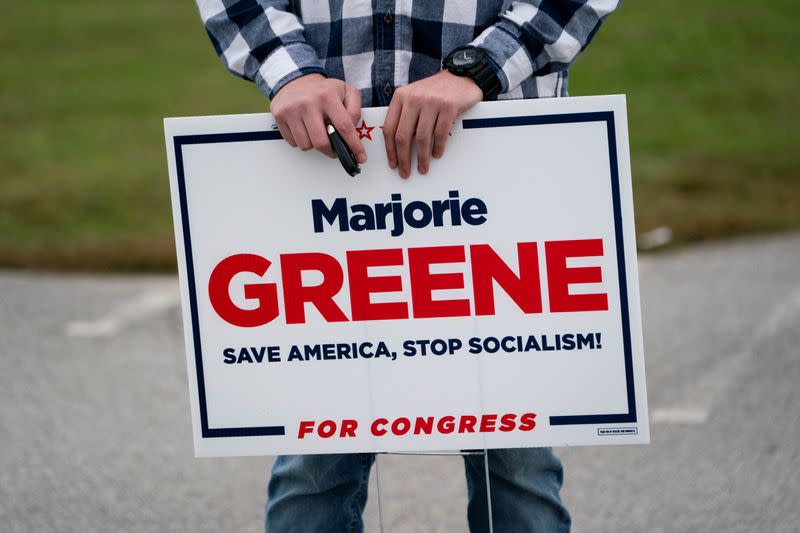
x: 148, y: 303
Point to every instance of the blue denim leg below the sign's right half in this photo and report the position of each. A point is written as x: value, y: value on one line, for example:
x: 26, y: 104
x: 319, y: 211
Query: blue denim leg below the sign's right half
x: 525, y: 484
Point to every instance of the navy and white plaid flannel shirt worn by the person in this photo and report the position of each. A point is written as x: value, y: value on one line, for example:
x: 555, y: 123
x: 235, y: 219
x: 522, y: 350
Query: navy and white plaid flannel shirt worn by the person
x: 378, y: 45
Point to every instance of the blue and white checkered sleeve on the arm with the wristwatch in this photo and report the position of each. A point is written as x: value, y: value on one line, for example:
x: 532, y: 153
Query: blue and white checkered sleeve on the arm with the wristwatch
x: 537, y: 37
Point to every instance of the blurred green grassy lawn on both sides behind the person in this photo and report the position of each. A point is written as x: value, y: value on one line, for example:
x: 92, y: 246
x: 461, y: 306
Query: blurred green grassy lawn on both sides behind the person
x: 712, y: 95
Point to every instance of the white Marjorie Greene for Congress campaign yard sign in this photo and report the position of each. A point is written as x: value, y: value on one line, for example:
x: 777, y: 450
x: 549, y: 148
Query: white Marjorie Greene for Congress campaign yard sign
x: 492, y: 303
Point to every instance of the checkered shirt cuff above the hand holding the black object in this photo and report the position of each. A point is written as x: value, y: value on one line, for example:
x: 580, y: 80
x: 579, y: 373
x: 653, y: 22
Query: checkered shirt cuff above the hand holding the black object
x: 286, y: 63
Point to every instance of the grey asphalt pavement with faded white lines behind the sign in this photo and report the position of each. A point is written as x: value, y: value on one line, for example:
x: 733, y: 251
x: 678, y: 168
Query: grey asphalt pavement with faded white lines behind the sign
x: 95, y: 432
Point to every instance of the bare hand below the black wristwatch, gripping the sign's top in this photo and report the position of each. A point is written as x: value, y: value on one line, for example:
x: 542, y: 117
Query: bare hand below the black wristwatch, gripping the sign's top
x: 425, y: 111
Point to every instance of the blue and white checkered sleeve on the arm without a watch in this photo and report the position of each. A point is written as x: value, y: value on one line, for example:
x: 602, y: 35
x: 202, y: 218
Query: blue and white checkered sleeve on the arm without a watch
x: 259, y: 40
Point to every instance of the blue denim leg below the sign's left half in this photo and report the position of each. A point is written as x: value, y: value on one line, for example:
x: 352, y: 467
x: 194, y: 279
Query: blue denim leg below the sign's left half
x: 318, y: 493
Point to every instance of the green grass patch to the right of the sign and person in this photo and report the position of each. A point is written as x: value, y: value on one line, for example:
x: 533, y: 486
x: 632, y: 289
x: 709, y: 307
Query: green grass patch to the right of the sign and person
x: 713, y: 109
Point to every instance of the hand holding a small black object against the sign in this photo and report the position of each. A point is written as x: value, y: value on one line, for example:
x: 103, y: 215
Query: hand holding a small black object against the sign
x: 304, y: 106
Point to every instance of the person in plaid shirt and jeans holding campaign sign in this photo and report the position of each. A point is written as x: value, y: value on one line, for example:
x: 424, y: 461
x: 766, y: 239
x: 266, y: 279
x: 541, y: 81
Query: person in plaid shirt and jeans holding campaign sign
x: 320, y: 62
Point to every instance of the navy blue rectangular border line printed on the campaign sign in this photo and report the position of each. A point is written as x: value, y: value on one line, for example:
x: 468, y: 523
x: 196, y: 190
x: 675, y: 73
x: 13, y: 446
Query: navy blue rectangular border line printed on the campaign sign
x: 603, y: 116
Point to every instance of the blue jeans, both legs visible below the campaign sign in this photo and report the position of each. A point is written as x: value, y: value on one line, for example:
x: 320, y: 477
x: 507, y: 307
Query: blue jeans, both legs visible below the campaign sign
x: 327, y: 493
